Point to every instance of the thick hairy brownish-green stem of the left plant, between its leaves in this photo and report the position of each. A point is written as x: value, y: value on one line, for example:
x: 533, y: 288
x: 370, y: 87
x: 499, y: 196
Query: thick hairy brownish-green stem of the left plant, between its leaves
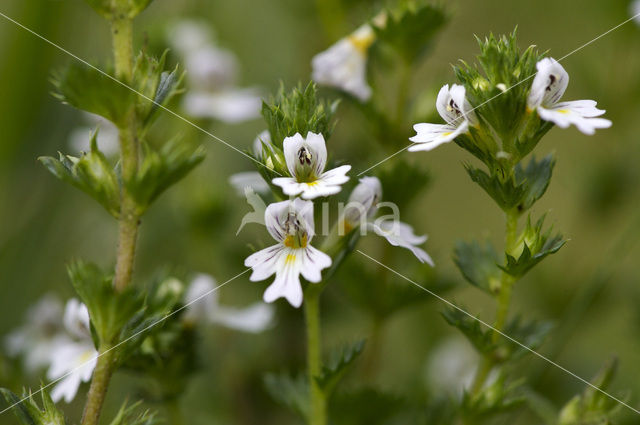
x: 121, y: 31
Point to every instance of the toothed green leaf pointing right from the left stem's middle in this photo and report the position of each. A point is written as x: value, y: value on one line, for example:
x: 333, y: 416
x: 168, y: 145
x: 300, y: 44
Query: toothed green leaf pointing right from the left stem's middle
x: 160, y: 169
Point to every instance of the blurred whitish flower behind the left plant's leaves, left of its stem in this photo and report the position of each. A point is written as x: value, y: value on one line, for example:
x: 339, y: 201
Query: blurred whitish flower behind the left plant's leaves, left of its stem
x: 107, y: 140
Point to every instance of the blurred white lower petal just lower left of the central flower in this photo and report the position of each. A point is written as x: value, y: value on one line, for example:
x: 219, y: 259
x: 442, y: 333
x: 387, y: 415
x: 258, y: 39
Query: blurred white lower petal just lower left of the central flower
x: 253, y: 319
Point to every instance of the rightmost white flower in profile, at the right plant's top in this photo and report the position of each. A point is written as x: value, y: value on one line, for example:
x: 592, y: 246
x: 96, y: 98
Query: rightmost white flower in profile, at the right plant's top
x: 548, y: 86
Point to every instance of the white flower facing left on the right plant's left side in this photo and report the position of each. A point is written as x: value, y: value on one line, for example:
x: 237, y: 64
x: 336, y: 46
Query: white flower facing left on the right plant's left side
x: 454, y: 108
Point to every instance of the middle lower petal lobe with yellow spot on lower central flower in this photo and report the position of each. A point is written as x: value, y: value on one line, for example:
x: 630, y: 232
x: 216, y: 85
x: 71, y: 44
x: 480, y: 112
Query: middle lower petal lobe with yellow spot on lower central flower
x: 287, y: 281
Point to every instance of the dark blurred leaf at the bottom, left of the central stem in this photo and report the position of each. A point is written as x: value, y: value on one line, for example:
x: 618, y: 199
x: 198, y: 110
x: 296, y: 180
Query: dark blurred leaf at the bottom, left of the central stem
x: 290, y: 392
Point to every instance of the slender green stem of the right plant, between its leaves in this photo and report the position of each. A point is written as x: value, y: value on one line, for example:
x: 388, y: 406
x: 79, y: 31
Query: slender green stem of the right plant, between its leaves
x: 504, y: 302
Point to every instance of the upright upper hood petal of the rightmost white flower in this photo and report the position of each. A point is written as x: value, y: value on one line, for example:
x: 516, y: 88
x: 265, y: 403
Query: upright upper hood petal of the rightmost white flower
x: 548, y: 85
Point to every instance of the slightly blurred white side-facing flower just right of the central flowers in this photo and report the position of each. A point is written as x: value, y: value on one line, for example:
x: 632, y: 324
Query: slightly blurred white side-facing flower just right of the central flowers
x: 363, y: 205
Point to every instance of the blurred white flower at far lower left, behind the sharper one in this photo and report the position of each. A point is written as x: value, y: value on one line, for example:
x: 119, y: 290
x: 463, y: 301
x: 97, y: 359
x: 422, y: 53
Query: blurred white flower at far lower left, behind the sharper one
x: 41, y: 332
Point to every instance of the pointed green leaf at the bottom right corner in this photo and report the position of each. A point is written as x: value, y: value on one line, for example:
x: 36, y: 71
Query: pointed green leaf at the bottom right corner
x: 593, y: 407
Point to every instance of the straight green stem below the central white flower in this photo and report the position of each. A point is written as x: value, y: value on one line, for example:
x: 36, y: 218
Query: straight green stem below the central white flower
x: 318, y: 413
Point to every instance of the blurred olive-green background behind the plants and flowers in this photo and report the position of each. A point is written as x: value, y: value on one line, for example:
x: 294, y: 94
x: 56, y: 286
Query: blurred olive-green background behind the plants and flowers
x: 590, y: 289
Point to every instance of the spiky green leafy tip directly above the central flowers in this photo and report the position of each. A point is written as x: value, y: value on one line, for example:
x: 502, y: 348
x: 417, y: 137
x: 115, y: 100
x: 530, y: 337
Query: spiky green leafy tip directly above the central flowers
x: 298, y: 111
